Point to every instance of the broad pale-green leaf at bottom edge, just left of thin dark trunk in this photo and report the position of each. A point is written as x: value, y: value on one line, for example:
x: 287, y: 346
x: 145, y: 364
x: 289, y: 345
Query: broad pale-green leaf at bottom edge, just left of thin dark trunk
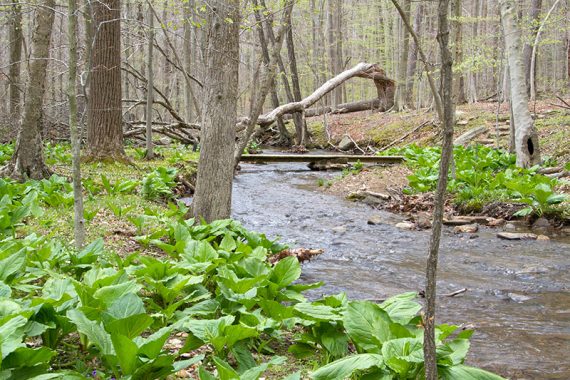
x: 343, y: 368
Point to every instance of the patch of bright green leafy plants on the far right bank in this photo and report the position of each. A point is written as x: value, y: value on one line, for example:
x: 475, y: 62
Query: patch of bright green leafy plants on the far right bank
x: 482, y: 175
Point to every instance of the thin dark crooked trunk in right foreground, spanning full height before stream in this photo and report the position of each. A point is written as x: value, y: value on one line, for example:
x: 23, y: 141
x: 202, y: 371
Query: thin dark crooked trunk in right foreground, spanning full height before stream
x: 448, y: 122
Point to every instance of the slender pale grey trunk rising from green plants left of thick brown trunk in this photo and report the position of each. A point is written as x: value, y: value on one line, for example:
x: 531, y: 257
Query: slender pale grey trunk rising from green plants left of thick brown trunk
x: 79, y: 221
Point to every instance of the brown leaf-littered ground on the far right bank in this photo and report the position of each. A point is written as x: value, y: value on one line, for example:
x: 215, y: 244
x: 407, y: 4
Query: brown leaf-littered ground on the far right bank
x: 373, y: 131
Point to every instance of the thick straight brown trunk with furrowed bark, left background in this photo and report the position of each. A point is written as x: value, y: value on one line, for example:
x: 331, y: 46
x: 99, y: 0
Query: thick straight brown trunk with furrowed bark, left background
x: 104, y: 128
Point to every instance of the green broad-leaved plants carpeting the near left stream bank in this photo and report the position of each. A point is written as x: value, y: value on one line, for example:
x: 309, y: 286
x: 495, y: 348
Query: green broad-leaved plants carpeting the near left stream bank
x: 156, y: 295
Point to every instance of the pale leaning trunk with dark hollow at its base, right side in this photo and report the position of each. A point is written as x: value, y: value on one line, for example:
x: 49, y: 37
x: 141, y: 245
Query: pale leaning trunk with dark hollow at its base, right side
x: 526, y: 139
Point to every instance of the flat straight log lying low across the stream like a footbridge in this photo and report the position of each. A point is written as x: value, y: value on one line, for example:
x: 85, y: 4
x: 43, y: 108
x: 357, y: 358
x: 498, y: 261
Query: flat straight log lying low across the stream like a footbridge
x: 259, y: 158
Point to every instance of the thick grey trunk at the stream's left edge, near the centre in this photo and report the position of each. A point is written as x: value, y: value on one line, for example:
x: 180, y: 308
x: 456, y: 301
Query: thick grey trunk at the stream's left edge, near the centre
x: 213, y: 197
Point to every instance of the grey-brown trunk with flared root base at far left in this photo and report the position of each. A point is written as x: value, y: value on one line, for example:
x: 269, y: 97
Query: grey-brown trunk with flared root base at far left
x: 28, y: 159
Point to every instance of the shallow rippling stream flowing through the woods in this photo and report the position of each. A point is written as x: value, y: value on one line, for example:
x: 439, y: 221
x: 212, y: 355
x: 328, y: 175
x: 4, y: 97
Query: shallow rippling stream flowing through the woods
x: 518, y: 297
